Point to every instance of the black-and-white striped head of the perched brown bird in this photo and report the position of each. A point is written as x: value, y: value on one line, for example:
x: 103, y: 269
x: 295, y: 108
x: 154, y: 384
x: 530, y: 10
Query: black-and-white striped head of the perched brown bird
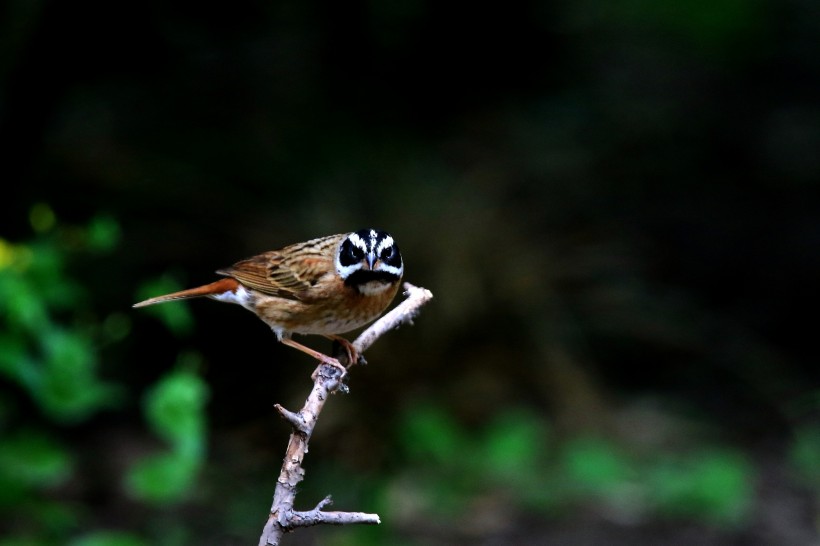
x: 369, y: 260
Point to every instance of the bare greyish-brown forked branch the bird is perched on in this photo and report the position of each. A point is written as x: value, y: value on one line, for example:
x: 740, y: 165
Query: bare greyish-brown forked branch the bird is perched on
x: 326, y: 380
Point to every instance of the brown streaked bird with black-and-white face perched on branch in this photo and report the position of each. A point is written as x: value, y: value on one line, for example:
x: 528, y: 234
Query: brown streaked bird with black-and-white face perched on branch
x: 325, y: 286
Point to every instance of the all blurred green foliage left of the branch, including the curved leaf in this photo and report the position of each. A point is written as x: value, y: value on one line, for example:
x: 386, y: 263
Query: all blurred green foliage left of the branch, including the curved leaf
x: 50, y: 339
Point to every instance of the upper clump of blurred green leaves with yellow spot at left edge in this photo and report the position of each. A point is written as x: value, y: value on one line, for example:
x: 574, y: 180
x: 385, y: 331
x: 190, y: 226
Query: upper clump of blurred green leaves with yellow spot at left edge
x: 46, y: 346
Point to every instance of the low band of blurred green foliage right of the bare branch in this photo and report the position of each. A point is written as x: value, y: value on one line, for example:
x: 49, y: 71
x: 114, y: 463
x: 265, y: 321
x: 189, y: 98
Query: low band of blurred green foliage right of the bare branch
x: 517, y: 460
